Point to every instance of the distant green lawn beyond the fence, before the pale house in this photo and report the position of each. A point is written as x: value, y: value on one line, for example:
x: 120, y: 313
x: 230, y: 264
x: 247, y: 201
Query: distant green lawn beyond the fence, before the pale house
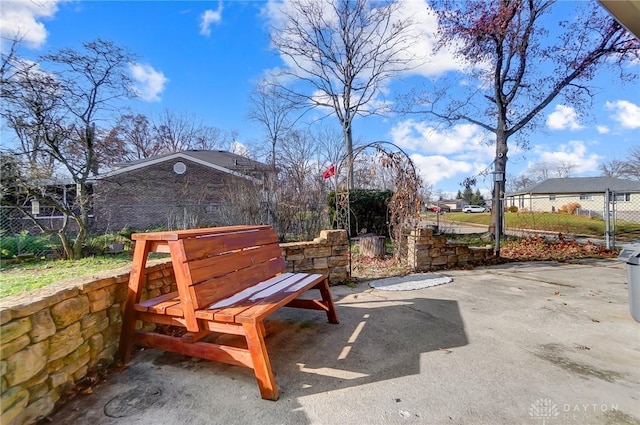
x: 553, y: 222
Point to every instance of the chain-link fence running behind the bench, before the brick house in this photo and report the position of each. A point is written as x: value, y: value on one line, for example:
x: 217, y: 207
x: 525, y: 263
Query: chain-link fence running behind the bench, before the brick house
x: 21, y: 239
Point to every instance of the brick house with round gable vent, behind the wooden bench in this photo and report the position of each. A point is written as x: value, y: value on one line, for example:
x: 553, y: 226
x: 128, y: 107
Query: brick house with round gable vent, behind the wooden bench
x: 178, y: 190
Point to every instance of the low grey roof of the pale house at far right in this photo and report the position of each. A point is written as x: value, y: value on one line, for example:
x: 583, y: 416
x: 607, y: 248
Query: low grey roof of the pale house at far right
x: 581, y: 185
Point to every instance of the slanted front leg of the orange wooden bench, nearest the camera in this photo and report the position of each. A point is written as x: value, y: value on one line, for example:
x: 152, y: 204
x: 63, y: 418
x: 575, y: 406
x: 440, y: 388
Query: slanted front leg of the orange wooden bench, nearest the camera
x: 254, y: 333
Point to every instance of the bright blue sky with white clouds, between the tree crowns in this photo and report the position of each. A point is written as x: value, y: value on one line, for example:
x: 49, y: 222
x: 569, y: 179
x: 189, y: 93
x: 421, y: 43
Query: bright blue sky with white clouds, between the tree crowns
x: 202, y: 59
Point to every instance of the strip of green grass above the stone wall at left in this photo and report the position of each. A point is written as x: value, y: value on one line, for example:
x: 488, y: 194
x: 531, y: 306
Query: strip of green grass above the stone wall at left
x: 17, y: 278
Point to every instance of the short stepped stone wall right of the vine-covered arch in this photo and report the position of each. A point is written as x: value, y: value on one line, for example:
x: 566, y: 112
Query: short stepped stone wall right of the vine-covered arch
x: 426, y: 251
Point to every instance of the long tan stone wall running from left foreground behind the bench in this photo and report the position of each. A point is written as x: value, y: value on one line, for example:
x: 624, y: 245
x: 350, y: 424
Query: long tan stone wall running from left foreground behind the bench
x: 52, y: 337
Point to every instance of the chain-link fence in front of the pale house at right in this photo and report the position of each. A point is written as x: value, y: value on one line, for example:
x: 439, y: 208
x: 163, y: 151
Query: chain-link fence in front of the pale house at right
x: 608, y: 217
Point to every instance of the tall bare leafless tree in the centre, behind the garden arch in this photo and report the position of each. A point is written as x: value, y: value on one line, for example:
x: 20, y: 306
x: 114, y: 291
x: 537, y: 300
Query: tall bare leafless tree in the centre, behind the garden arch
x: 341, y: 52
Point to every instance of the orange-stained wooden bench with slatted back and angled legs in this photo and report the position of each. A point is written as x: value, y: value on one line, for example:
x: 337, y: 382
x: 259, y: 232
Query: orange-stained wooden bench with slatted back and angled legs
x: 229, y: 279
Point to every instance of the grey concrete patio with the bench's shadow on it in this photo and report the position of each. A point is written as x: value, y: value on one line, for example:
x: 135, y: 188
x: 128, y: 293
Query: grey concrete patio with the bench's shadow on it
x: 522, y: 343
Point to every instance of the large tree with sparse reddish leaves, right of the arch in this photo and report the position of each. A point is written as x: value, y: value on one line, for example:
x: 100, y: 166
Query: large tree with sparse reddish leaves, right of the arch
x: 521, y: 70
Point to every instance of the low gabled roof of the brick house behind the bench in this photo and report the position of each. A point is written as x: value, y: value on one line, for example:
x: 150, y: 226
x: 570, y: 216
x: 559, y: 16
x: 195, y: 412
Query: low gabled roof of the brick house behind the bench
x: 223, y: 161
